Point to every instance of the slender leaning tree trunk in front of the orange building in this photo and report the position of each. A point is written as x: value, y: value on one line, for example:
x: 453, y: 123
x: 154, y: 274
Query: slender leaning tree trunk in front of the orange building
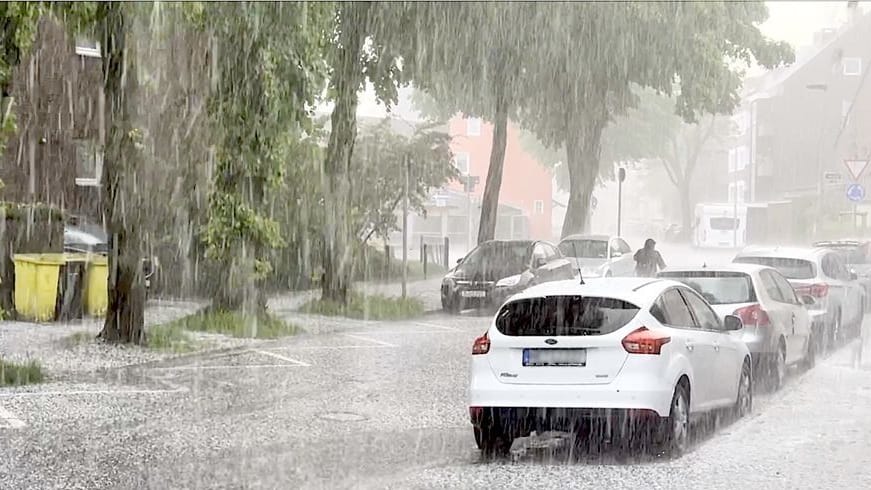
x: 490, y: 202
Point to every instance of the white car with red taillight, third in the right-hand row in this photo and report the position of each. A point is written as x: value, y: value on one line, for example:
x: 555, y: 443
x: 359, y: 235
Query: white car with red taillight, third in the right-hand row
x: 820, y: 273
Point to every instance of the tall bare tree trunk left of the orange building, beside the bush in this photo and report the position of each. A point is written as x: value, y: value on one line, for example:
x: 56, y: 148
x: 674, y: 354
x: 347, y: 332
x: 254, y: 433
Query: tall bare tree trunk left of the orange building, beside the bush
x: 347, y: 78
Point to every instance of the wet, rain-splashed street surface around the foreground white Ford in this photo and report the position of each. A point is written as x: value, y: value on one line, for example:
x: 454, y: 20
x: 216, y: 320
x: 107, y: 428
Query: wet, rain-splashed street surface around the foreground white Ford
x: 383, y: 405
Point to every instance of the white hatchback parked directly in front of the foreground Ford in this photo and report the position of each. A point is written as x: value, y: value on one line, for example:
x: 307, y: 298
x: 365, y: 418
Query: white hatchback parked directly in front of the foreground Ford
x: 777, y: 325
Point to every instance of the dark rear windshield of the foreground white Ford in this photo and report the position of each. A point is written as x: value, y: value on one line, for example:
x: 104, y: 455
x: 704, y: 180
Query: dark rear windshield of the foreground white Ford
x: 564, y: 315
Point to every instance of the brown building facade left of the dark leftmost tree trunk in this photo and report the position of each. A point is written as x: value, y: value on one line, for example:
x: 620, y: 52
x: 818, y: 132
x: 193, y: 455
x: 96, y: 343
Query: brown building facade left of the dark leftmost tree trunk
x: 56, y: 154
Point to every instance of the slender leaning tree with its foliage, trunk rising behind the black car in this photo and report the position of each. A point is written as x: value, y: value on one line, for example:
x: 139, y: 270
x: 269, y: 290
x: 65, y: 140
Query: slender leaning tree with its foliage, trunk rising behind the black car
x: 472, y: 58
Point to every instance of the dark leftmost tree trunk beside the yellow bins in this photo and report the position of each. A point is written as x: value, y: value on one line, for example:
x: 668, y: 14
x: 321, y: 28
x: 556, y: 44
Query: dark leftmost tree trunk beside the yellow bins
x: 126, y: 288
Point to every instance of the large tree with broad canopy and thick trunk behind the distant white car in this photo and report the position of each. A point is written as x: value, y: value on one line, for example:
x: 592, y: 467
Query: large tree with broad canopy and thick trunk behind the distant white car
x: 689, y: 49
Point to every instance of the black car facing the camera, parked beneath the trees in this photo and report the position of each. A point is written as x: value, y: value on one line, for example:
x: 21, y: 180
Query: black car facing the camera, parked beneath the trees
x: 497, y: 269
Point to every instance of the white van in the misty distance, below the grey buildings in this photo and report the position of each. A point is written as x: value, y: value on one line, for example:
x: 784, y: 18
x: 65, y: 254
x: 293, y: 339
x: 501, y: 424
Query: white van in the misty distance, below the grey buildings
x: 719, y: 226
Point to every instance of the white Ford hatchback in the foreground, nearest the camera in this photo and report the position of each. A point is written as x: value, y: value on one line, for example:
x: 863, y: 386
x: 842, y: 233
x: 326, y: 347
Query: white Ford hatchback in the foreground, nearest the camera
x: 648, y: 352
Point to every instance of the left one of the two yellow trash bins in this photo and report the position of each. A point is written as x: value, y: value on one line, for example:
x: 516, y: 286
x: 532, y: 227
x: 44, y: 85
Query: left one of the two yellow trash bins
x: 36, y: 277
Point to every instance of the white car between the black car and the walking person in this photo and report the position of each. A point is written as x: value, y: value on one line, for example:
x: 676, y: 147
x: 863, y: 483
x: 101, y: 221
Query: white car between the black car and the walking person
x: 598, y: 255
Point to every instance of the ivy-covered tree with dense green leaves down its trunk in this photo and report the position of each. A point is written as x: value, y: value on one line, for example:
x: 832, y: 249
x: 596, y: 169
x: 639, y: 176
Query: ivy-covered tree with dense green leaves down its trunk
x: 268, y: 70
